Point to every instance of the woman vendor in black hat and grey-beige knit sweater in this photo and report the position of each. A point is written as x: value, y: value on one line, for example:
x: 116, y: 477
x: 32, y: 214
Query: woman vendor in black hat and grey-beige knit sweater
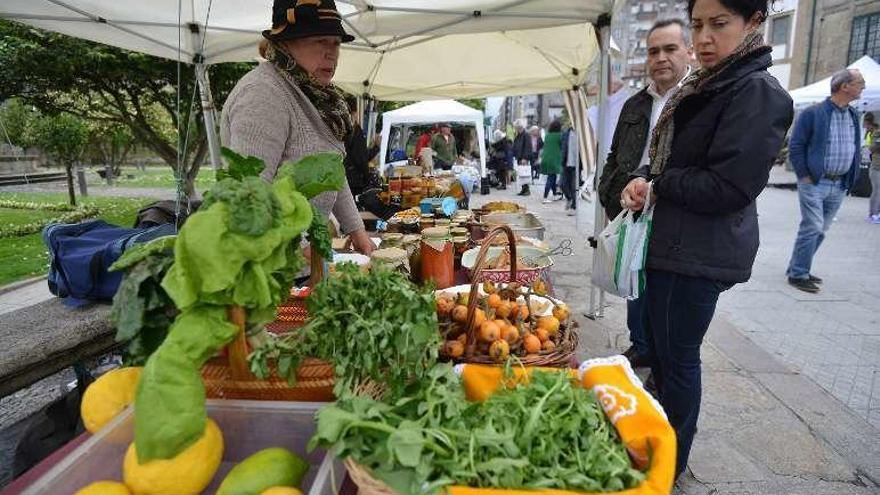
x: 287, y: 107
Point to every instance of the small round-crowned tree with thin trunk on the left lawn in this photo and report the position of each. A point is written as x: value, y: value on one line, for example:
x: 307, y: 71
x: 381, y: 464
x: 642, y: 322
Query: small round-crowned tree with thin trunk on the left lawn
x: 63, y: 138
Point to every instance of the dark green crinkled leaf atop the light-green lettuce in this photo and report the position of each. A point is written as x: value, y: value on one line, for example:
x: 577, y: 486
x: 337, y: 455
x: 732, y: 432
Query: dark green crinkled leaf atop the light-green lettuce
x: 253, y: 207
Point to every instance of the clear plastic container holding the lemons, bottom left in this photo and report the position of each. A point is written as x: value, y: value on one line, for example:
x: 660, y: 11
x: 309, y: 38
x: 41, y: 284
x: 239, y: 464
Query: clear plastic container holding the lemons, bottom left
x: 248, y: 426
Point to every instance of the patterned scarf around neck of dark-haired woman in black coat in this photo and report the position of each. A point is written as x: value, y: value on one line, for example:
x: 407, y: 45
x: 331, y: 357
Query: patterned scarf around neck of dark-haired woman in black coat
x: 664, y: 131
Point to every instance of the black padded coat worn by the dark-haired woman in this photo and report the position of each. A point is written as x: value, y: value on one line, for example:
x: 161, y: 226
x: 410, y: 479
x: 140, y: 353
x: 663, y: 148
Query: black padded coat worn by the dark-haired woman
x: 726, y: 138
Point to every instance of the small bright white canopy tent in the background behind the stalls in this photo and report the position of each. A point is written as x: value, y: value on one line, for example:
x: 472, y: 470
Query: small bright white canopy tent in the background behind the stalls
x: 432, y: 112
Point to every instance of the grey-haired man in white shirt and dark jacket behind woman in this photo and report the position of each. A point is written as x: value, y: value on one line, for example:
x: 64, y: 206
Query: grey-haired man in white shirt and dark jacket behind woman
x: 669, y: 56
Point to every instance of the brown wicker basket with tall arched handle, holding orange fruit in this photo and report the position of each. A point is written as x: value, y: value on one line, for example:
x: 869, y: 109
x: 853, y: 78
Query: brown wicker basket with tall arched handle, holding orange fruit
x: 560, y: 357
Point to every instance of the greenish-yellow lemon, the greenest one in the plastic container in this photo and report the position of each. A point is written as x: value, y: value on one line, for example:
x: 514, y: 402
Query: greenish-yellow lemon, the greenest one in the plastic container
x: 273, y: 467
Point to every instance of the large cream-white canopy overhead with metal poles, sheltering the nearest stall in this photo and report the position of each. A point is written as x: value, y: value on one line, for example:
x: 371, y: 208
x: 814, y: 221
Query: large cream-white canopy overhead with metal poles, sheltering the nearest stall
x: 404, y: 49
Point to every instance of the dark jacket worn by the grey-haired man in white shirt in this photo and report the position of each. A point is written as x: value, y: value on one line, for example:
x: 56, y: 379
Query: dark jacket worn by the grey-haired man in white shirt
x: 627, y: 147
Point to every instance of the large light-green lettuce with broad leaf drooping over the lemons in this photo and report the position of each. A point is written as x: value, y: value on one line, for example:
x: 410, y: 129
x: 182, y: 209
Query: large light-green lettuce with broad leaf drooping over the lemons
x: 242, y: 248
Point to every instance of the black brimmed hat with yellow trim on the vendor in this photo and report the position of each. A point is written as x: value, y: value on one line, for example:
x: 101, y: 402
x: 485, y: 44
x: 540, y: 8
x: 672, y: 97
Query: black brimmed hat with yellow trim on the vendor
x: 293, y: 19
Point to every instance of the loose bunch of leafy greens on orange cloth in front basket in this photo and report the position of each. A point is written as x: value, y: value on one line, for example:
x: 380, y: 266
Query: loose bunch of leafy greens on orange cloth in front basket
x: 545, y: 433
